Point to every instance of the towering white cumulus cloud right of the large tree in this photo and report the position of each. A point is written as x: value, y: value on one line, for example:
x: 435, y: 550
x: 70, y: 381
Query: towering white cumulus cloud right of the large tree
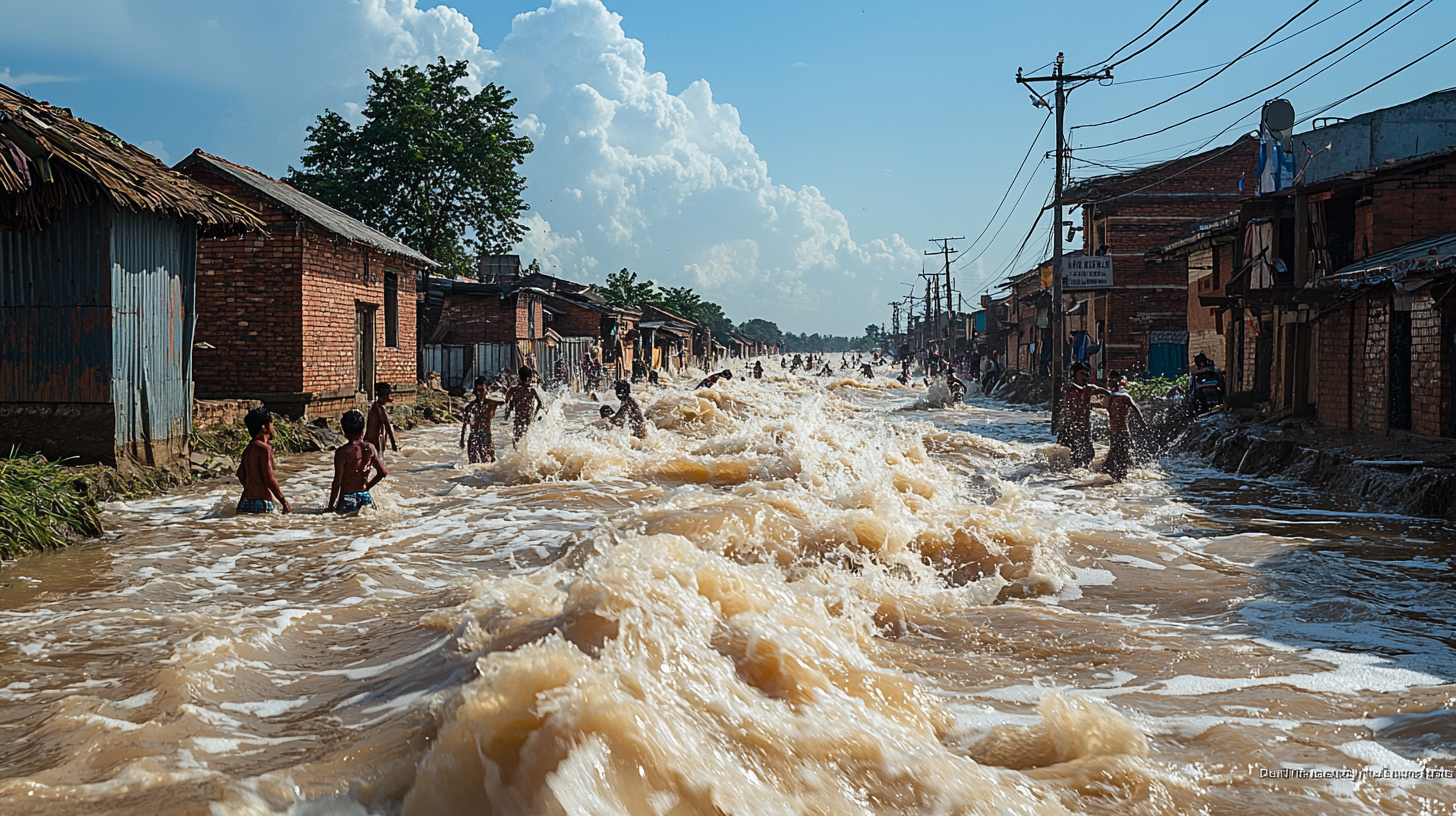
x: 630, y: 174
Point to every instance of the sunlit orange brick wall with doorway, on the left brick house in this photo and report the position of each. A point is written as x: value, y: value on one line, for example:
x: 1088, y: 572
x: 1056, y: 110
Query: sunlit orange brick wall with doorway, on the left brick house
x: 337, y: 276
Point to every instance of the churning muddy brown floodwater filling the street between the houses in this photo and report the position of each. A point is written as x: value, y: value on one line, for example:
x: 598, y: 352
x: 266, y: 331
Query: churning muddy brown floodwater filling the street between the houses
x: 797, y: 597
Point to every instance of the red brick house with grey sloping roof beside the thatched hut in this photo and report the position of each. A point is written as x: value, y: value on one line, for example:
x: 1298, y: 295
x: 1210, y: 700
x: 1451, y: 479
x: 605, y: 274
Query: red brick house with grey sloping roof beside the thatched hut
x: 309, y: 317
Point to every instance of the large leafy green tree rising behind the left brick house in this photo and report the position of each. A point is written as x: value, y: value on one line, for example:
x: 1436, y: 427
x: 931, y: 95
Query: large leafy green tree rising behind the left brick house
x: 433, y: 165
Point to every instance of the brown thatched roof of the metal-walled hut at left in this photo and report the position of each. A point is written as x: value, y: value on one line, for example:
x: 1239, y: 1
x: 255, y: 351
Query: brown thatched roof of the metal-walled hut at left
x: 52, y: 161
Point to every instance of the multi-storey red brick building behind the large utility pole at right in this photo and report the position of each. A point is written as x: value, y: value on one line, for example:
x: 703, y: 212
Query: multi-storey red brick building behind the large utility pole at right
x: 1141, y: 323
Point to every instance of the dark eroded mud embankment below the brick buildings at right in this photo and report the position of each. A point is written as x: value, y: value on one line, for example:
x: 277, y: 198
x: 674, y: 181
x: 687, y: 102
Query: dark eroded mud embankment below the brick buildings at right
x: 1419, y: 484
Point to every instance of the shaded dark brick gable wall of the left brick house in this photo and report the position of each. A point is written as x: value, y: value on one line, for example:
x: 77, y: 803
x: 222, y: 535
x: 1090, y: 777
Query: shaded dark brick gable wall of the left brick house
x: 250, y: 305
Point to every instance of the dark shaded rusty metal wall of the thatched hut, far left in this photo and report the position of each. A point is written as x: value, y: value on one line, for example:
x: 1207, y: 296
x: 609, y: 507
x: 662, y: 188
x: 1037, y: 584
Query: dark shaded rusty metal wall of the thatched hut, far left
x: 56, y: 311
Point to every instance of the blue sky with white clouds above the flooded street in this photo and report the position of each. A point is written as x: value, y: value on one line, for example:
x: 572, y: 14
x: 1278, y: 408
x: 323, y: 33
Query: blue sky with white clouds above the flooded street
x: 787, y: 160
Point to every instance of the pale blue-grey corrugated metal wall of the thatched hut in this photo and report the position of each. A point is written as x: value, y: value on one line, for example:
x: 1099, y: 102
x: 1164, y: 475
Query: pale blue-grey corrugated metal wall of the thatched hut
x: 154, y: 279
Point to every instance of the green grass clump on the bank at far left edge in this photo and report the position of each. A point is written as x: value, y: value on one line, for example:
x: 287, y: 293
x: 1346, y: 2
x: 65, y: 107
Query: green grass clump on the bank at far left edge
x: 41, y: 506
